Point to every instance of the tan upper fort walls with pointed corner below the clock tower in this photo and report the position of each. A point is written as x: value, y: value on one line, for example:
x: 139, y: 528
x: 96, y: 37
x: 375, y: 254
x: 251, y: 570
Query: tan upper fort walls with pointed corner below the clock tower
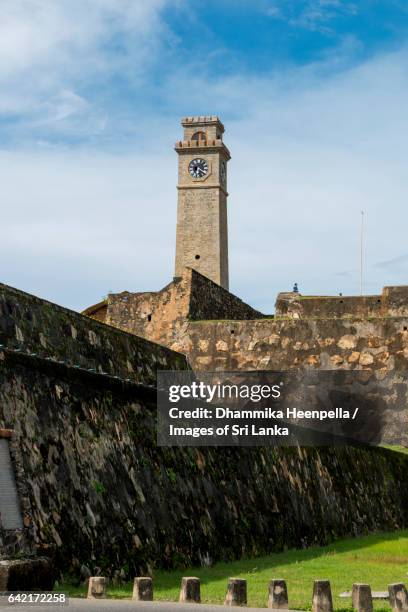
x: 216, y: 330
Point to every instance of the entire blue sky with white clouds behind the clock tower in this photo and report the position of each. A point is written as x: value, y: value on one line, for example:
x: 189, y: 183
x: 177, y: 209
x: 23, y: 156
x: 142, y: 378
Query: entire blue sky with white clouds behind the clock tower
x: 313, y: 95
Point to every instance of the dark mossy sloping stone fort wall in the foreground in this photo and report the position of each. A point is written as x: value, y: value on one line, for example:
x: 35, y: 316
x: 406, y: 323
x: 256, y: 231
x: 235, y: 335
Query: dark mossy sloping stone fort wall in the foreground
x: 99, y: 491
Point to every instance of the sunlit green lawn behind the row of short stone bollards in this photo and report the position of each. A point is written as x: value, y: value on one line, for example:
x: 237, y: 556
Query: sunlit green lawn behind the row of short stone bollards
x: 376, y: 559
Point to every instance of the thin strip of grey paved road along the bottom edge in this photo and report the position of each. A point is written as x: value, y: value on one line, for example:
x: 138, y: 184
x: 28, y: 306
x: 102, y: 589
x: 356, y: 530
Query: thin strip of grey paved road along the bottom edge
x: 111, y: 605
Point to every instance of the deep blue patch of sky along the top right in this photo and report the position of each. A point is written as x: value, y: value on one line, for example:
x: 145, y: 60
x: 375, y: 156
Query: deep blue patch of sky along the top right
x: 260, y: 35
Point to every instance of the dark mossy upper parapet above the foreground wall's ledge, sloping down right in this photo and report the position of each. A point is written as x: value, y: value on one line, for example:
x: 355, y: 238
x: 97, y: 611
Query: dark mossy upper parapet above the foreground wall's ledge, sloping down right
x: 94, y: 345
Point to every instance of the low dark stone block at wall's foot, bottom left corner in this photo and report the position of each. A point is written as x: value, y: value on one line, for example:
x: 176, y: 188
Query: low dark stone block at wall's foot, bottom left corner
x: 26, y: 574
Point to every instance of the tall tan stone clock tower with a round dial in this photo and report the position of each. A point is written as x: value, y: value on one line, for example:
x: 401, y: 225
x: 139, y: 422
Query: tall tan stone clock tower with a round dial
x: 202, y: 236
